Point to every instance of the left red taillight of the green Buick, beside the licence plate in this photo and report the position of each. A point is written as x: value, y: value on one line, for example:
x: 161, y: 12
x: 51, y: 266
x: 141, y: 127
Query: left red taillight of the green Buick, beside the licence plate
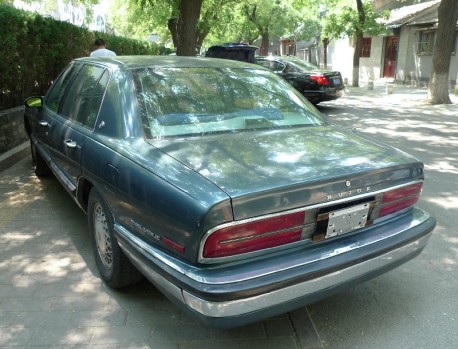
x: 254, y: 235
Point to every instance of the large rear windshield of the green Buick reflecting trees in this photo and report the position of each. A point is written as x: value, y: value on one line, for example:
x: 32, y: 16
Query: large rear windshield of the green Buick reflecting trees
x: 197, y: 101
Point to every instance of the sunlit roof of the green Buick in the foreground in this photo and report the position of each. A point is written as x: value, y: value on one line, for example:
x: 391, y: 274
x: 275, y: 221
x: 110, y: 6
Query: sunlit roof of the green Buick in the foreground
x: 136, y: 62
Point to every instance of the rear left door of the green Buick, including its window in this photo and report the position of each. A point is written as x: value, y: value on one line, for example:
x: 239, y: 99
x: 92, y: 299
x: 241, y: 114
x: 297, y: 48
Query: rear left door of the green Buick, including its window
x: 75, y: 122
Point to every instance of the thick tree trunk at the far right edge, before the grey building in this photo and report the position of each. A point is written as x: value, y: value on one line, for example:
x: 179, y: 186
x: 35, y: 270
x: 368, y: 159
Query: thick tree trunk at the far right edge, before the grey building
x: 445, y: 36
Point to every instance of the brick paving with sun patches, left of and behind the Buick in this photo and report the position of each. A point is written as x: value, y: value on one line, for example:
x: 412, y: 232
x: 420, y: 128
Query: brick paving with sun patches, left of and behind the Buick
x: 51, y: 295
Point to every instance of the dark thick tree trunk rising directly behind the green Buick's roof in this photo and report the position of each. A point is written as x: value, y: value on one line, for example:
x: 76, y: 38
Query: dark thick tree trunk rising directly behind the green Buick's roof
x: 189, y: 13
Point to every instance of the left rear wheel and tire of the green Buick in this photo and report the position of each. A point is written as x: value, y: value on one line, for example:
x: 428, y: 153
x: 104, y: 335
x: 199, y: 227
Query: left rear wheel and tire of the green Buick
x: 114, y: 267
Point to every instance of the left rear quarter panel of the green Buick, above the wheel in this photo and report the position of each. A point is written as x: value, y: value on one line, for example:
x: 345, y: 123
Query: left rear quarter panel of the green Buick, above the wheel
x: 142, y: 191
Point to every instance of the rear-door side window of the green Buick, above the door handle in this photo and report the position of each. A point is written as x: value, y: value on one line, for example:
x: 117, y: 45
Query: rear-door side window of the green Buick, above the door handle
x: 85, y: 95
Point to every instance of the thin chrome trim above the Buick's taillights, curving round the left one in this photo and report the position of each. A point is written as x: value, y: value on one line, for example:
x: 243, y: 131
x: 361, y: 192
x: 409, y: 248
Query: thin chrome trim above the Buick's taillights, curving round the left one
x: 204, y: 260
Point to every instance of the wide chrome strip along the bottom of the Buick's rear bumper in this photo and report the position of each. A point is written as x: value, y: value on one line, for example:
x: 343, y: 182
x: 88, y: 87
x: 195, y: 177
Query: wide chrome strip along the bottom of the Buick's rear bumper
x: 256, y: 303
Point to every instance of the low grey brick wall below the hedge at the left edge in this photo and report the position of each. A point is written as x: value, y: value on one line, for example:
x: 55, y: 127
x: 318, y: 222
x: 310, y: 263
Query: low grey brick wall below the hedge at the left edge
x: 12, y: 131
